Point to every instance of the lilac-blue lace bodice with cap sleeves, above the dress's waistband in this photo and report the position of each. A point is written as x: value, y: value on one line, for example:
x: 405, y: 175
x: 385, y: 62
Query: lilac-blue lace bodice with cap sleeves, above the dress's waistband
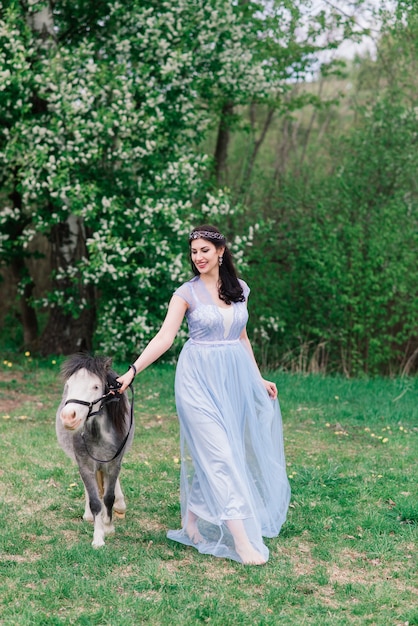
x: 205, y: 319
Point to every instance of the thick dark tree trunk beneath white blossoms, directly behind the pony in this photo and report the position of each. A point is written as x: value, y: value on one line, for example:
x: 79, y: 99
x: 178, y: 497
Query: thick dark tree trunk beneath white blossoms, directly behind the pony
x: 65, y: 334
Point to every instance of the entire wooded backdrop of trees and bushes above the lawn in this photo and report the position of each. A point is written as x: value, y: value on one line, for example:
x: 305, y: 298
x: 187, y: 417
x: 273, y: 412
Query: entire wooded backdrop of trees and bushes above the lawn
x: 123, y: 125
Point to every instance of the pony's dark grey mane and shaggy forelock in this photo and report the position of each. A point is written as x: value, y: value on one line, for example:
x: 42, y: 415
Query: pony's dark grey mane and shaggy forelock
x: 101, y: 367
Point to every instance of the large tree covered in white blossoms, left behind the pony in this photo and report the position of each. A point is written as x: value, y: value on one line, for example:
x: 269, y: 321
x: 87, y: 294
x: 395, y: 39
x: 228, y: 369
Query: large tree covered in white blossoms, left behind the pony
x: 102, y: 109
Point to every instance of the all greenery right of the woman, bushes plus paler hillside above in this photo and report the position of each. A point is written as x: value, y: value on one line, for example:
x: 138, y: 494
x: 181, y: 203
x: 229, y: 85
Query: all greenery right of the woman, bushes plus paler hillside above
x: 338, y: 234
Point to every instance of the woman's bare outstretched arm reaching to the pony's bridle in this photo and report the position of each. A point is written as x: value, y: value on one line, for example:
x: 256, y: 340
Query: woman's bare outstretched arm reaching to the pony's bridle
x: 160, y: 343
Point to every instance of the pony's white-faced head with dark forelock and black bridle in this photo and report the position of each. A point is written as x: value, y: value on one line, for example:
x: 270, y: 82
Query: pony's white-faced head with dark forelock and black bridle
x: 87, y: 381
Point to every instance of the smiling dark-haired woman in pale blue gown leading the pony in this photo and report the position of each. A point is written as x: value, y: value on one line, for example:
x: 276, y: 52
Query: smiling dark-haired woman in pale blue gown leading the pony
x: 233, y: 485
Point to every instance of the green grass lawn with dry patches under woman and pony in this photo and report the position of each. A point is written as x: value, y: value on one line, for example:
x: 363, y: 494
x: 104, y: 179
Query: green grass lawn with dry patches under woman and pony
x: 346, y: 555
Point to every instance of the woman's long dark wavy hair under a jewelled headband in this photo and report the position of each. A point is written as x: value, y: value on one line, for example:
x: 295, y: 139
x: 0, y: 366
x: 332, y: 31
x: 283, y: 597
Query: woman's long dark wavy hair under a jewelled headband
x: 230, y: 289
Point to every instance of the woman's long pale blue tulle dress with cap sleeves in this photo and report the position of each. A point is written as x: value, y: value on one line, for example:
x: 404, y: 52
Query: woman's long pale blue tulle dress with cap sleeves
x: 231, y: 438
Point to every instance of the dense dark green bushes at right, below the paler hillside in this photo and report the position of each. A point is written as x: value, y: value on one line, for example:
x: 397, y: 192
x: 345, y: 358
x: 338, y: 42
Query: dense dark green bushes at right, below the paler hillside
x: 344, y: 287
